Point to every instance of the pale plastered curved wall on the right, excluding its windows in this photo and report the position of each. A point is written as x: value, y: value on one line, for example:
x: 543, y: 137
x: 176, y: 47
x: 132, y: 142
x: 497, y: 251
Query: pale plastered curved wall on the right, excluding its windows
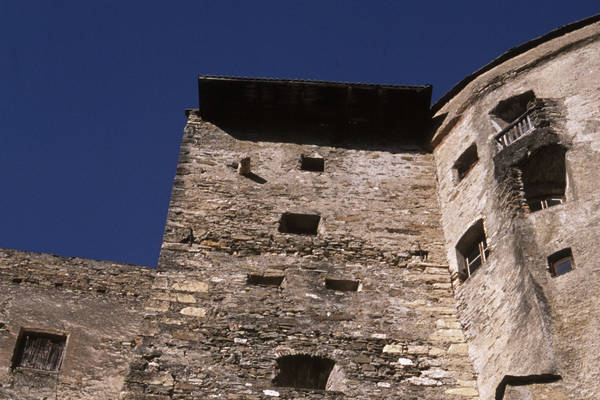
x: 522, y: 324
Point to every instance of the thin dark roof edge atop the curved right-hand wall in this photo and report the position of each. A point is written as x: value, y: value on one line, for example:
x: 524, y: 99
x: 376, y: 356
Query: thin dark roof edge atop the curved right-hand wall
x: 513, y: 52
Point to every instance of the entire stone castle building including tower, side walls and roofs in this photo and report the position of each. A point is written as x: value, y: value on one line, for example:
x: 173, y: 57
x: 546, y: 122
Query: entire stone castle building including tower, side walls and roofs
x: 345, y: 241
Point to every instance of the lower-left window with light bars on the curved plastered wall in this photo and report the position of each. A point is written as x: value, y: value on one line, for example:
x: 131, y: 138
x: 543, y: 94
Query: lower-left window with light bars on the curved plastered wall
x: 472, y: 250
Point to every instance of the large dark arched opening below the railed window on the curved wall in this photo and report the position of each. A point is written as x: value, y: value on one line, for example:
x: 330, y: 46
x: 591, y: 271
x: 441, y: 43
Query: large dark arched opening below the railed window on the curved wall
x: 544, y: 178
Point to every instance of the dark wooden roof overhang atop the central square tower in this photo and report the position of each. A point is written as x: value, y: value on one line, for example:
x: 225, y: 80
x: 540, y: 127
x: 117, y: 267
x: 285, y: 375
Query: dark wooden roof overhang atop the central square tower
x: 389, y: 110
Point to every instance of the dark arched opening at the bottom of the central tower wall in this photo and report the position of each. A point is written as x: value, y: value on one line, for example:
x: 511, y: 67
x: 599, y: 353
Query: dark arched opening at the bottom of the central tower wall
x: 303, y: 371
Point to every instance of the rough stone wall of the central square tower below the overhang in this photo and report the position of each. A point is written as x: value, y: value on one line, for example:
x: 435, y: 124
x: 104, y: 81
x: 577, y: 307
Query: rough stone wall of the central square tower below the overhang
x: 217, y: 335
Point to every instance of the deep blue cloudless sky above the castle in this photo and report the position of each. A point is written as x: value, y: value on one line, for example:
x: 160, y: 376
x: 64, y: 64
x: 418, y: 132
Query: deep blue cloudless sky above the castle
x: 93, y: 92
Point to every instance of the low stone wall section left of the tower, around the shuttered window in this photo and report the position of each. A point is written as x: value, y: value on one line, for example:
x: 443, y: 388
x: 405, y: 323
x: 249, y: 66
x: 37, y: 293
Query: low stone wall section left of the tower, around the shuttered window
x: 97, y: 305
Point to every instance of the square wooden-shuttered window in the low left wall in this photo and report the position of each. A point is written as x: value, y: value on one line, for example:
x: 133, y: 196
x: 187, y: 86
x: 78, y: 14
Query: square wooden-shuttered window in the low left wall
x: 39, y: 350
